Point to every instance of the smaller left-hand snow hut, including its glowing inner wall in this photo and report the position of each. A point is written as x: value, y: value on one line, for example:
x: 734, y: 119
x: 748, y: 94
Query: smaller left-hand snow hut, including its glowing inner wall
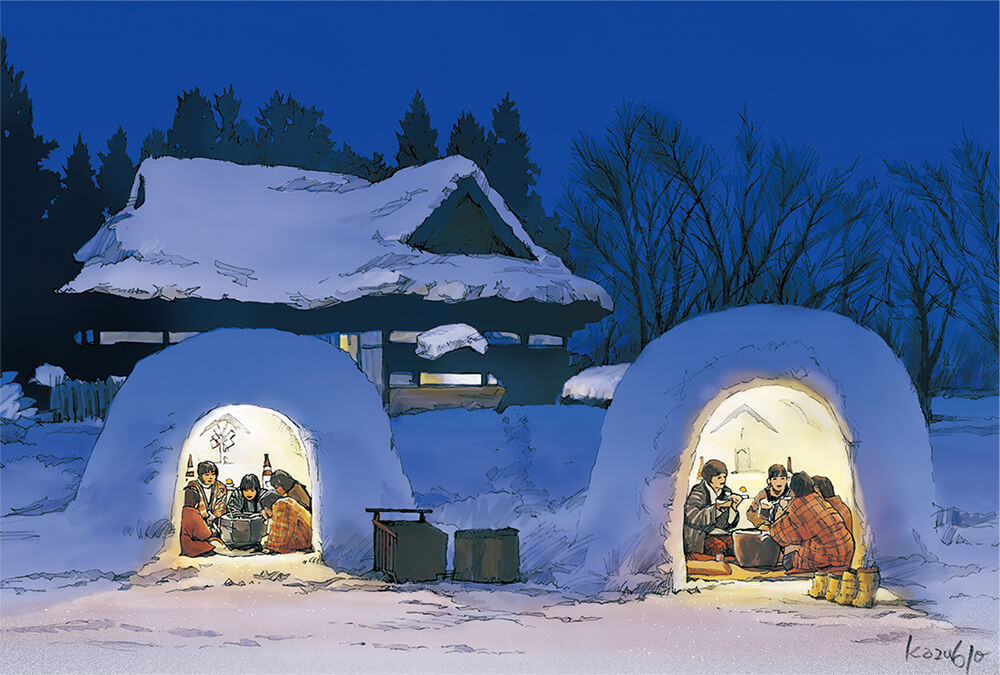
x: 231, y: 396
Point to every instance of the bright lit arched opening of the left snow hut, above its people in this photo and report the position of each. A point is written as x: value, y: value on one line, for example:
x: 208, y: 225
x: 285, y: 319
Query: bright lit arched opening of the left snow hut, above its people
x: 238, y: 439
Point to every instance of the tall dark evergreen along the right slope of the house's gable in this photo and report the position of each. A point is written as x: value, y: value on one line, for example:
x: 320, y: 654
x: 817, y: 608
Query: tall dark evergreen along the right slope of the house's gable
x: 512, y: 174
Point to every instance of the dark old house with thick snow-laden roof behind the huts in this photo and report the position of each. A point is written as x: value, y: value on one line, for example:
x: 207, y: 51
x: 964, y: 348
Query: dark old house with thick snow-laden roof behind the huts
x: 369, y: 267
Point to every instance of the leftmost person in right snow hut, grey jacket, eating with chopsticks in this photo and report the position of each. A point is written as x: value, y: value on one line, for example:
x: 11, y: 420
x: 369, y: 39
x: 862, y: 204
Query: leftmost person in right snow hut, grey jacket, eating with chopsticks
x: 710, y: 513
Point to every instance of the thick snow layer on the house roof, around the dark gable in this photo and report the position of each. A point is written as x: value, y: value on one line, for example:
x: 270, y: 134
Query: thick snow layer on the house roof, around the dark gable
x: 216, y: 230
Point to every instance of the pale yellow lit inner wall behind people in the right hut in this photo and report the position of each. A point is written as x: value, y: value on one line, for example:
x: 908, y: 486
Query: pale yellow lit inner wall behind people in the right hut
x: 764, y: 425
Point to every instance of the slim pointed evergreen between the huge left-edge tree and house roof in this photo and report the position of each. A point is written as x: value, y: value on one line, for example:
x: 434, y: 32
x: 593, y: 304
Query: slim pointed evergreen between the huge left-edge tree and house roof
x: 77, y: 211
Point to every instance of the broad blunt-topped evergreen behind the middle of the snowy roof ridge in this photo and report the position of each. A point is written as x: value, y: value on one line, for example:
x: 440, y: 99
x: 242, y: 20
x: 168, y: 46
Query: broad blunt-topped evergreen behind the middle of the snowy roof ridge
x: 289, y: 134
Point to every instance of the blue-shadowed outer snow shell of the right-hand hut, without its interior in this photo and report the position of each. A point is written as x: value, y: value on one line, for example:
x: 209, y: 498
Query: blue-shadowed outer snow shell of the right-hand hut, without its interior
x: 633, y: 514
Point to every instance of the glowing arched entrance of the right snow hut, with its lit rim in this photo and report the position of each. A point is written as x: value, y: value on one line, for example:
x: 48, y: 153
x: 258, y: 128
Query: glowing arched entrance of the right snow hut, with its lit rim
x: 760, y: 423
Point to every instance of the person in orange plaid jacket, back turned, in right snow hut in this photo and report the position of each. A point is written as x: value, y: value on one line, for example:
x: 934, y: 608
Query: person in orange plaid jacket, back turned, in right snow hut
x: 811, y: 533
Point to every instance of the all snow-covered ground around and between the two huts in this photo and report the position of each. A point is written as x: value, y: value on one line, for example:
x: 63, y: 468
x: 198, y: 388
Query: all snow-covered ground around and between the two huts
x: 527, y: 468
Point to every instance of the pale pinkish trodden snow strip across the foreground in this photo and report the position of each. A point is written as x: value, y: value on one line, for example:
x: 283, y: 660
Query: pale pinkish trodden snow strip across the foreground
x: 280, y: 623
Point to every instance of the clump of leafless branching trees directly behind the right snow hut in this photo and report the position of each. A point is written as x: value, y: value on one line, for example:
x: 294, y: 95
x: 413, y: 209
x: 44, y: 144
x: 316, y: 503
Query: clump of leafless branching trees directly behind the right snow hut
x: 673, y: 231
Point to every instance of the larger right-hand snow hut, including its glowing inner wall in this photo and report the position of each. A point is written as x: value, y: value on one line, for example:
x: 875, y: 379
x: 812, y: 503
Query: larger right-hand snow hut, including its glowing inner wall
x: 754, y: 386
